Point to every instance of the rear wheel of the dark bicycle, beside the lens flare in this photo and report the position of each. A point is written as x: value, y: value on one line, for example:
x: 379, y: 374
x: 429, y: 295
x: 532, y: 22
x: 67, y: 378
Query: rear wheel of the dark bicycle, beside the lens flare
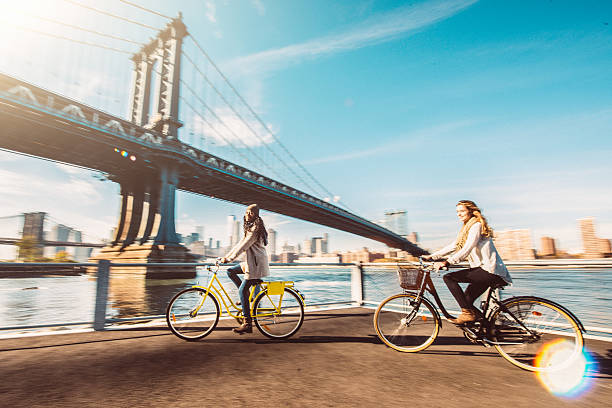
x: 528, y: 329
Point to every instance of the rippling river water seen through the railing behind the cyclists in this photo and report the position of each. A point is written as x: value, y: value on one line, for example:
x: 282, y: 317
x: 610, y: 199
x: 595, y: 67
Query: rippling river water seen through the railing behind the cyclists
x: 587, y: 292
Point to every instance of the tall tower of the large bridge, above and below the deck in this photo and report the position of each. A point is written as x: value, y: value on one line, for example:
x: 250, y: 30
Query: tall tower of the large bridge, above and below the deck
x: 146, y: 228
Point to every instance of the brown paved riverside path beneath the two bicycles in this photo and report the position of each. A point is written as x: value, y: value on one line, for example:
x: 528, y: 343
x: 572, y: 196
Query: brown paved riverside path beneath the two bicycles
x: 334, y: 361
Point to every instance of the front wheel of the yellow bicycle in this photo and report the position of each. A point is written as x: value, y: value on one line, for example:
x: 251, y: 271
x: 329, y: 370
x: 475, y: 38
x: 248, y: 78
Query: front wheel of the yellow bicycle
x: 192, y: 314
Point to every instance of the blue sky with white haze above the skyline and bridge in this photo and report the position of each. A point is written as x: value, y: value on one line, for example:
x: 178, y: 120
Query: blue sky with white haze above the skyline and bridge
x: 390, y: 105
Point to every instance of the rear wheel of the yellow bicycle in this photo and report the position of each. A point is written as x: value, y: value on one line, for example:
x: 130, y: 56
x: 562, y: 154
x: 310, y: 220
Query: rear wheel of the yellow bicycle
x: 278, y: 316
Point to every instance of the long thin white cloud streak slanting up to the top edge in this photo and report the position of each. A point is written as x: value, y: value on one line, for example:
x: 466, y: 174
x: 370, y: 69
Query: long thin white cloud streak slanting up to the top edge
x: 378, y: 29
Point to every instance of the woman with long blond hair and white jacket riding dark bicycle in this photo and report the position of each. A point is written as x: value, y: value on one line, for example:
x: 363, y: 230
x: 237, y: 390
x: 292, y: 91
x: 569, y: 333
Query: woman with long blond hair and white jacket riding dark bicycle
x: 475, y: 243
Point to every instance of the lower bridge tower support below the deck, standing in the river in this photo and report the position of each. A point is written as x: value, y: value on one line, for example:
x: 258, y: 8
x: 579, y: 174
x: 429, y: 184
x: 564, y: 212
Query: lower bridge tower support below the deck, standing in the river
x: 146, y: 230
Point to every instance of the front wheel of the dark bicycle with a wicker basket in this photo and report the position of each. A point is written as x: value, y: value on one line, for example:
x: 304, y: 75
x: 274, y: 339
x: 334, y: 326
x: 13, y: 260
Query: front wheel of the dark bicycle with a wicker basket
x: 404, y: 325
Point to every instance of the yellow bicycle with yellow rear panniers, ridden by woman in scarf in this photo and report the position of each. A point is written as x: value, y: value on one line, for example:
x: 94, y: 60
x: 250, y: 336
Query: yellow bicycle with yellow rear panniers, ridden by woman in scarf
x: 277, y: 310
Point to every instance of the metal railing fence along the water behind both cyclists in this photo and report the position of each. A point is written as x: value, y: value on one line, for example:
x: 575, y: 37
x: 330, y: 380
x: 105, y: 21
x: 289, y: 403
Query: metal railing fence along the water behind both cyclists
x: 103, y: 299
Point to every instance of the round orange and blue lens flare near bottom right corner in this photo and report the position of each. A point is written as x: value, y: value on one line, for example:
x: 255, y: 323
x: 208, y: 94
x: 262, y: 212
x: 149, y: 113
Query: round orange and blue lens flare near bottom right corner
x: 571, y: 379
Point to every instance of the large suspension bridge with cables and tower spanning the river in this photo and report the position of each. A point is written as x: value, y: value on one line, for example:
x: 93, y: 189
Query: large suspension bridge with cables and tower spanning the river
x: 187, y: 127
